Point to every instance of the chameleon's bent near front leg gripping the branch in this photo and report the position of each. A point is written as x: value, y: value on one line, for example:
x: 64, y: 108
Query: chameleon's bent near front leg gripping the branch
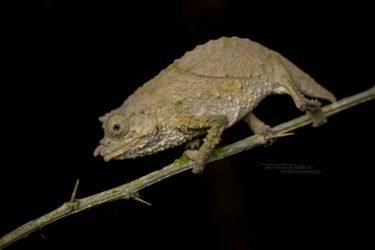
x: 214, y: 125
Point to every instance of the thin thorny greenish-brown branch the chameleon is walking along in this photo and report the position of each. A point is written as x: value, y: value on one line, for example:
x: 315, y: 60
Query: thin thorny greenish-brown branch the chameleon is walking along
x: 130, y: 190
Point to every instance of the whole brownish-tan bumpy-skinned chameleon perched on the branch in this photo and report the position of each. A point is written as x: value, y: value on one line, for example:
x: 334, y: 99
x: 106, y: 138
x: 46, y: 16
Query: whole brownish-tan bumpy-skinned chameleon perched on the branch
x: 201, y: 94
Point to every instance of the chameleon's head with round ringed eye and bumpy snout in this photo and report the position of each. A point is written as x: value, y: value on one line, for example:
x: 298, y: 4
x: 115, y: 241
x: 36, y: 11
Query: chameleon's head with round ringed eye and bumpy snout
x: 127, y: 134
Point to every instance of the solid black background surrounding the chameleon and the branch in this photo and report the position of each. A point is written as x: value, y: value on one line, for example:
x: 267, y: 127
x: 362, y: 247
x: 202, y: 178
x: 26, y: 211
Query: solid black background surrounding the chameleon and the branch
x: 67, y: 64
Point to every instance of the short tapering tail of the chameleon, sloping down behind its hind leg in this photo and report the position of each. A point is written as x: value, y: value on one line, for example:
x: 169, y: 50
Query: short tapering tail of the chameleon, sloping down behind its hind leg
x: 305, y: 83
